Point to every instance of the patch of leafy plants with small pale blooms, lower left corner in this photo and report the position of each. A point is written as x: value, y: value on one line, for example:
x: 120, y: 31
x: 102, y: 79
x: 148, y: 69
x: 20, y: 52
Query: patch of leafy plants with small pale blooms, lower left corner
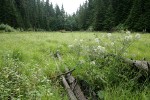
x: 13, y: 84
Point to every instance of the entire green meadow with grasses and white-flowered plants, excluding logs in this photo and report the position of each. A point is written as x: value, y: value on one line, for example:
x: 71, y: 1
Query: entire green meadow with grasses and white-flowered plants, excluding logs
x: 28, y: 66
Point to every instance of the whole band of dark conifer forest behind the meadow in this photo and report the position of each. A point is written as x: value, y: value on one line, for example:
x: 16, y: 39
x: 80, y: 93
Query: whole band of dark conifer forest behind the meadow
x: 93, y: 15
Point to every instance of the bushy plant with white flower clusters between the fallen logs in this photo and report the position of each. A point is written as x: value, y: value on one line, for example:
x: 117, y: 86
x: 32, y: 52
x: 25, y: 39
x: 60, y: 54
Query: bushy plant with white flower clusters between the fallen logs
x: 101, y: 61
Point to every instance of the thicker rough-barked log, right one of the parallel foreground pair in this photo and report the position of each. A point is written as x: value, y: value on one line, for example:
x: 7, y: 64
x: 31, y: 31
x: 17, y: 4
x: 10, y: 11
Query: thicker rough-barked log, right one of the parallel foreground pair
x: 75, y: 87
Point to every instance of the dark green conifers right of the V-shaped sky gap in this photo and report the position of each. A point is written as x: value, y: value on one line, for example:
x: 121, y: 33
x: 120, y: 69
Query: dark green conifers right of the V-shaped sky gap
x: 106, y: 15
